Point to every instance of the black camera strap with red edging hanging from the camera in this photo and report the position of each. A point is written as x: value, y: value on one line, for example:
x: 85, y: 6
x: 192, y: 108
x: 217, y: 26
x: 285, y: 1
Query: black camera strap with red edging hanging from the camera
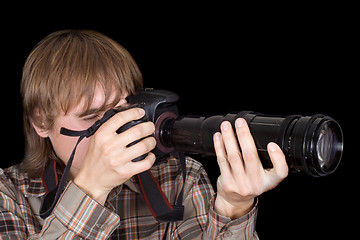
x: 154, y: 197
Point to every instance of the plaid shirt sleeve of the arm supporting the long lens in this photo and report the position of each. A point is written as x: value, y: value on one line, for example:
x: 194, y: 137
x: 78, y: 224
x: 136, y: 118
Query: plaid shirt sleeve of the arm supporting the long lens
x: 200, y: 219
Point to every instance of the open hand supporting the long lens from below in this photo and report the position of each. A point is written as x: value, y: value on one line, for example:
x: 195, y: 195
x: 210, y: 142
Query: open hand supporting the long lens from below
x: 242, y: 174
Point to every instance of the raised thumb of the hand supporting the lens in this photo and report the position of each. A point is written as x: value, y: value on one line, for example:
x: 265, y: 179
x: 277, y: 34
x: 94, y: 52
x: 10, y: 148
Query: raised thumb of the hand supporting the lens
x: 280, y: 168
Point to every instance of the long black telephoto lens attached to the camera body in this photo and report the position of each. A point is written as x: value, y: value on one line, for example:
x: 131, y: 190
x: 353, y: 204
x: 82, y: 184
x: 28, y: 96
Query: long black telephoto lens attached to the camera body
x: 313, y: 144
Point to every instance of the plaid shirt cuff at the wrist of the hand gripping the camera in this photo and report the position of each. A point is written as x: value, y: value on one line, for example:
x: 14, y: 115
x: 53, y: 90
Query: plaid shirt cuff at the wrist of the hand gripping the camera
x: 84, y: 216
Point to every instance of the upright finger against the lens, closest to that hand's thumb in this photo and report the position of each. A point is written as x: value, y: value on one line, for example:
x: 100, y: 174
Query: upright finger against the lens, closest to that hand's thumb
x: 247, y: 144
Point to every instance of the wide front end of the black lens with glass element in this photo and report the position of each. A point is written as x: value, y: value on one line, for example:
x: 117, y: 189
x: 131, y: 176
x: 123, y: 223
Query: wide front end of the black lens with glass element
x: 313, y: 144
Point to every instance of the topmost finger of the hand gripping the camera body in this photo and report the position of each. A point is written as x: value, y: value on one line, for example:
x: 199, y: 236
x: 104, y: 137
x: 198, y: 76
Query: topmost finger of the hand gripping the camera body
x: 121, y: 118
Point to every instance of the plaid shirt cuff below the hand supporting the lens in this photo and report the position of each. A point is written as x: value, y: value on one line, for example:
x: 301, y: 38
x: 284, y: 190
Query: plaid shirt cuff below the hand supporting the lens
x: 224, y: 227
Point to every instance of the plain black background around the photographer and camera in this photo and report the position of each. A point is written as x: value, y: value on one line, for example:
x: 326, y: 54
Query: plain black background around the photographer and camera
x: 221, y: 59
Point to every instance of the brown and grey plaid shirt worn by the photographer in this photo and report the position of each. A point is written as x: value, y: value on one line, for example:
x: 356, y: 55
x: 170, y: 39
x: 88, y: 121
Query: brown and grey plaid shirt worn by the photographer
x: 124, y: 216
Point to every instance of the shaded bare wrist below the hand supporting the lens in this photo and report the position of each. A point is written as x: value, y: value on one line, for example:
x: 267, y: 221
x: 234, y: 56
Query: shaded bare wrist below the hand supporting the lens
x: 233, y: 211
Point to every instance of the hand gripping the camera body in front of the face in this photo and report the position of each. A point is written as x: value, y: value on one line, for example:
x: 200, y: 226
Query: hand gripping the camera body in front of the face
x: 108, y: 161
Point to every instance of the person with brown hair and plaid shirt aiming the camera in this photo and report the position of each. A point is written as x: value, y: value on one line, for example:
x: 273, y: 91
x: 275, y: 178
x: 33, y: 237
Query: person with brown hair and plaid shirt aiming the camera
x: 70, y: 79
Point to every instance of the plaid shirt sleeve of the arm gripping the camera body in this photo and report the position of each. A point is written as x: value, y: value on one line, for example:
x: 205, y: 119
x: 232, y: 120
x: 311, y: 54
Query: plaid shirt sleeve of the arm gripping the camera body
x: 76, y: 216
